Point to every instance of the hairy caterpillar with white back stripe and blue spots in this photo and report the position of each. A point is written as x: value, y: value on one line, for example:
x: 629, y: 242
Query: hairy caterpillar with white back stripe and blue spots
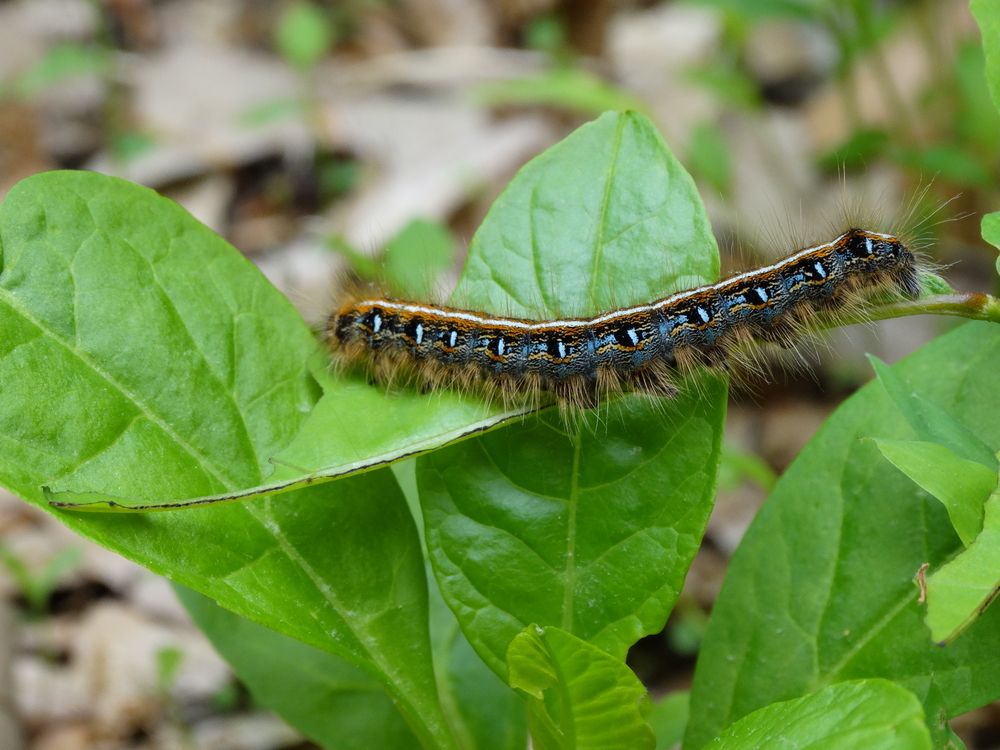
x: 641, y: 348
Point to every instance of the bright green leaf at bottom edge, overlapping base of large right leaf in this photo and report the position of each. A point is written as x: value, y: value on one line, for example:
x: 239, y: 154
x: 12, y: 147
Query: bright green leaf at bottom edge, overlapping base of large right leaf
x: 870, y: 714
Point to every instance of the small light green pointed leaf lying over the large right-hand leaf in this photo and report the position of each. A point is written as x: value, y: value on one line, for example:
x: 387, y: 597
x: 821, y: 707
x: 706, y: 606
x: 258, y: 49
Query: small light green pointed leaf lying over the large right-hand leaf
x: 963, y: 486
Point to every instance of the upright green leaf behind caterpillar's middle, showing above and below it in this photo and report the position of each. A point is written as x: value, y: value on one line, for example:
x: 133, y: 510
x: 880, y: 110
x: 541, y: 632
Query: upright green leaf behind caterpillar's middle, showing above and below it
x: 588, y: 526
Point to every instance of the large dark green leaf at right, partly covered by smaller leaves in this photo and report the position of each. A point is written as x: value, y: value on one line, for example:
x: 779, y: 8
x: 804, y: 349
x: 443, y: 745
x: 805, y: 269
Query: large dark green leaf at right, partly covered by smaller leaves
x: 820, y: 589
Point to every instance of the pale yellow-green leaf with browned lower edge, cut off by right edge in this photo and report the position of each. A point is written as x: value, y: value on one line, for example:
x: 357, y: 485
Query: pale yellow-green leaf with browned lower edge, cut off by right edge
x: 963, y: 588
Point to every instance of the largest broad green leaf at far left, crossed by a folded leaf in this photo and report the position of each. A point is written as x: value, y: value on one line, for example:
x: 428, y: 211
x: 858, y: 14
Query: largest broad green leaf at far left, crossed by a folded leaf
x: 141, y: 356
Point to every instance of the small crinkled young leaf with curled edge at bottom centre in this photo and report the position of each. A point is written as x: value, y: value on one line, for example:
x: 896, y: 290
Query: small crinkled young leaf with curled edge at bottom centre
x: 580, y: 698
